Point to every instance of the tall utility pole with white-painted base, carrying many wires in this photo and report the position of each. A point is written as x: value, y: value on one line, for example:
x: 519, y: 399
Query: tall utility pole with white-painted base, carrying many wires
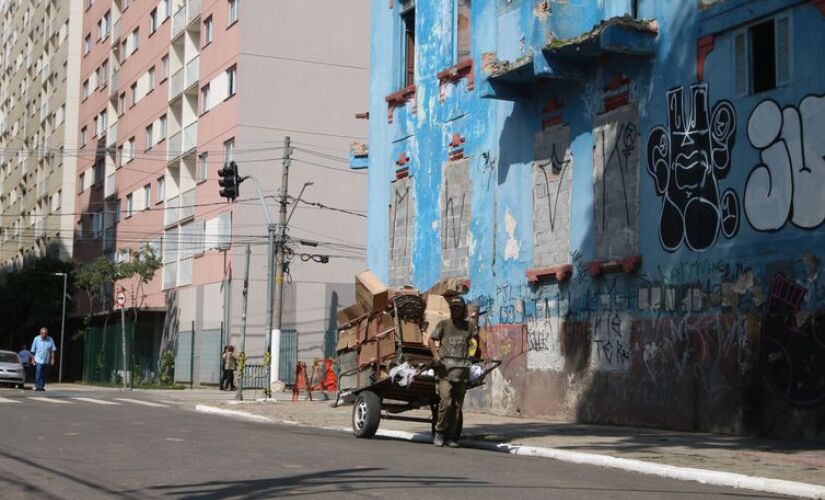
x: 276, y: 315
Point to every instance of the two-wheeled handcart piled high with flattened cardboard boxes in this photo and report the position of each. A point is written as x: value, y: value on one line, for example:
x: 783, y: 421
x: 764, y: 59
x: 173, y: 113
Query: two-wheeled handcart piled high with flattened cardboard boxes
x: 384, y: 360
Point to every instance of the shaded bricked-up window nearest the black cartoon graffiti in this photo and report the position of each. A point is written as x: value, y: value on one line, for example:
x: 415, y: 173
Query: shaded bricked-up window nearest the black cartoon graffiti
x: 616, y: 181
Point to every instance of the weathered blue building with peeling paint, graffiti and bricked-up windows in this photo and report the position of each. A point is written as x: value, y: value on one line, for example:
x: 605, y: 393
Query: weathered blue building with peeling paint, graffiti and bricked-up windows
x: 635, y: 190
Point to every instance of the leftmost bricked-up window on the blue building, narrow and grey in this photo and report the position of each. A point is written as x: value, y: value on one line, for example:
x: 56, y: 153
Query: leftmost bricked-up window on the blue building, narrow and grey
x: 402, y: 224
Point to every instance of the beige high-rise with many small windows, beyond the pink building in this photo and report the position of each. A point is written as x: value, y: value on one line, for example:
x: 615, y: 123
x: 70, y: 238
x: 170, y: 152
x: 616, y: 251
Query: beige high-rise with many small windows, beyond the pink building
x: 39, y: 87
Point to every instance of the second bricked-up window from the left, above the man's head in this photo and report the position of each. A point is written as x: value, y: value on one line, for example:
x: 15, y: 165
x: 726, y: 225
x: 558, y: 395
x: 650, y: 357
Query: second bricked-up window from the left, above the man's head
x: 456, y: 212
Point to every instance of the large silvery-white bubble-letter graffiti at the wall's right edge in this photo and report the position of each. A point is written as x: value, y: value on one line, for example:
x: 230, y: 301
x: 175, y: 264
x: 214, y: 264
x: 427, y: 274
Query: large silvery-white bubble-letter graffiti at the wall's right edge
x: 789, y: 183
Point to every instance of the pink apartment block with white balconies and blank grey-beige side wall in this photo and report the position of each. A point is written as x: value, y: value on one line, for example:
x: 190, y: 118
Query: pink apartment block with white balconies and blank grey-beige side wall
x: 173, y: 89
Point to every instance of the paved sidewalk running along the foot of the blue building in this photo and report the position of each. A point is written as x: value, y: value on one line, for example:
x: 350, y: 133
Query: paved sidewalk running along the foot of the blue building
x: 790, y: 461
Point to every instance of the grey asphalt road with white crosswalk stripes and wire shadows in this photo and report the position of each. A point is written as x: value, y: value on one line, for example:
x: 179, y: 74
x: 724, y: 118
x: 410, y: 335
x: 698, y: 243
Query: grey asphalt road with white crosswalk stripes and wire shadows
x: 83, y: 448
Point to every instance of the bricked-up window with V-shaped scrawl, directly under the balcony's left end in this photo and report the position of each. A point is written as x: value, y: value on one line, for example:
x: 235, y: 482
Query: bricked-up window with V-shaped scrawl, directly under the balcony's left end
x: 552, y: 174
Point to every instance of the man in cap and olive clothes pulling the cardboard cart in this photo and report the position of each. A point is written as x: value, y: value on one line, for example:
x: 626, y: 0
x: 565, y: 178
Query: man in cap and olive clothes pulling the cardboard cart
x: 452, y: 357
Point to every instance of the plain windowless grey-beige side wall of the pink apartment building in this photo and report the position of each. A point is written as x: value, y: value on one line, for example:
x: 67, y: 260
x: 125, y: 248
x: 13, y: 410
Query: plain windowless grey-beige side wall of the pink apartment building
x: 305, y: 74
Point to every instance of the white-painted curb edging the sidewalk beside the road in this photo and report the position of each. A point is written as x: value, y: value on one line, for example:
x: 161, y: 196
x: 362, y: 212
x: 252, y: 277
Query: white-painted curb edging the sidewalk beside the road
x: 703, y: 476
